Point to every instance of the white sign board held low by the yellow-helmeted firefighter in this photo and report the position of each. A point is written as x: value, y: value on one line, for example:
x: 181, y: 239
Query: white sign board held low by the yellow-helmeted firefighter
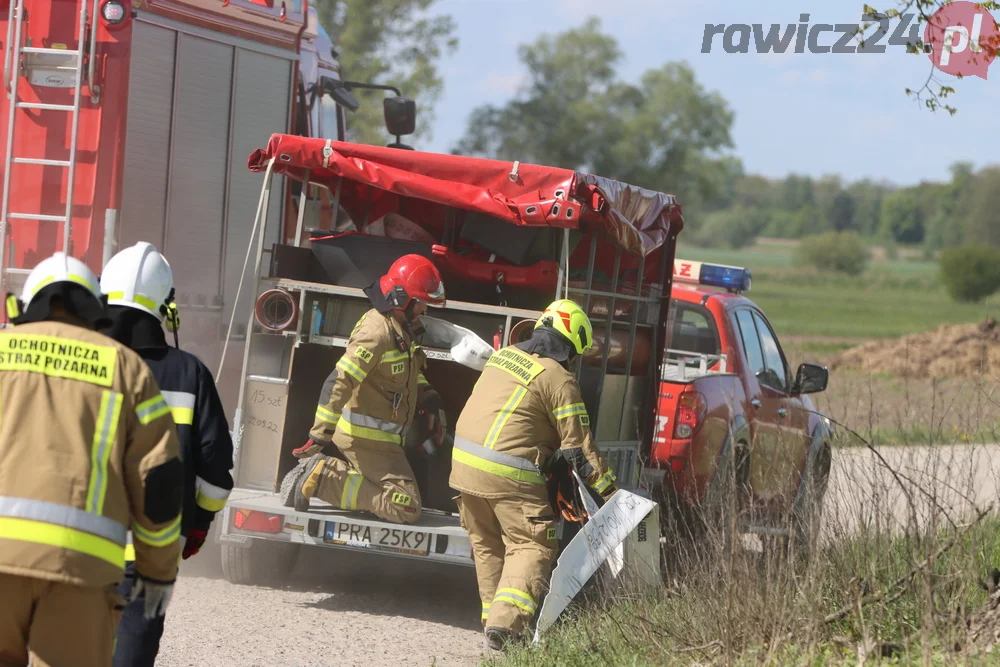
x: 599, y: 538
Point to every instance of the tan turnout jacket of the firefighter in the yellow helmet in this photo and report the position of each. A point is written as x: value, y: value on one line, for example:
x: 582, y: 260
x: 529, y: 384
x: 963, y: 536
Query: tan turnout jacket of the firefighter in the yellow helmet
x: 524, y: 408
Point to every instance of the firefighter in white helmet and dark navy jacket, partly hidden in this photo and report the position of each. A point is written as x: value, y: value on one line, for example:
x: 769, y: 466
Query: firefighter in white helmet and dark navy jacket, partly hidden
x: 139, y: 286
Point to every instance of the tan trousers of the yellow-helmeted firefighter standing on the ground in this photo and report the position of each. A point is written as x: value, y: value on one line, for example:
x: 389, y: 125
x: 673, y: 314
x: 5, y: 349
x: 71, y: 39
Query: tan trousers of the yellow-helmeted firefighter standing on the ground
x: 513, y: 545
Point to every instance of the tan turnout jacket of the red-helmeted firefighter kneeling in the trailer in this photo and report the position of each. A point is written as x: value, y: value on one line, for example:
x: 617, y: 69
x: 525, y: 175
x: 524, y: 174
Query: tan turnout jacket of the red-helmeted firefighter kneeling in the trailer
x: 373, y: 394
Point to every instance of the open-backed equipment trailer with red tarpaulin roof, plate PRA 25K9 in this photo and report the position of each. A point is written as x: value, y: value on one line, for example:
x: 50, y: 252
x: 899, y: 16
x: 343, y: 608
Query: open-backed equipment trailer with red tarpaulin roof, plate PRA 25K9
x: 508, y: 238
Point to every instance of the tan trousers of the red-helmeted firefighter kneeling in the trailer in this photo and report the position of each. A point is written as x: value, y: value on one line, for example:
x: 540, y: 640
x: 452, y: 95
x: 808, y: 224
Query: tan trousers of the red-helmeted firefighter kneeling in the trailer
x: 376, y: 479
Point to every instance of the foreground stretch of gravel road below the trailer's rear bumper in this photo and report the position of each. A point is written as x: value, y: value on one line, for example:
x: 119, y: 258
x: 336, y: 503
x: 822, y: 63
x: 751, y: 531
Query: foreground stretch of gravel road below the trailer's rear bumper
x: 337, y: 609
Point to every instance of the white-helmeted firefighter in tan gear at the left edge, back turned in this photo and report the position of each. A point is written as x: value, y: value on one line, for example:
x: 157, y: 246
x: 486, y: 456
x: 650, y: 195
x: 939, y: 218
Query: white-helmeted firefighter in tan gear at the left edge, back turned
x: 88, y: 451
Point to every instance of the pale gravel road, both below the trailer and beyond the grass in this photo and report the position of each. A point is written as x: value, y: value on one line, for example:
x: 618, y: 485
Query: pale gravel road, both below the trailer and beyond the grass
x: 341, y: 608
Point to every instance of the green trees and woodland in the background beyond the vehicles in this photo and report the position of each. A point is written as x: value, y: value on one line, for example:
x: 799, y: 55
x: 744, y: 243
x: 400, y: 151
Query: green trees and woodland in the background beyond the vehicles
x: 663, y: 132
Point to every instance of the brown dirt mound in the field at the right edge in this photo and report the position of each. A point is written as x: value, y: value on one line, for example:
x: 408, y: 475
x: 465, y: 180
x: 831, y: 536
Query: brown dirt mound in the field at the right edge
x: 951, y: 350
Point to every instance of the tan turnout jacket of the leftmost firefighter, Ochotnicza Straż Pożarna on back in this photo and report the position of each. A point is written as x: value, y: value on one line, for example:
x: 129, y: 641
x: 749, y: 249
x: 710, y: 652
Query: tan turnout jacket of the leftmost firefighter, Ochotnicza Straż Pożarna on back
x: 88, y: 452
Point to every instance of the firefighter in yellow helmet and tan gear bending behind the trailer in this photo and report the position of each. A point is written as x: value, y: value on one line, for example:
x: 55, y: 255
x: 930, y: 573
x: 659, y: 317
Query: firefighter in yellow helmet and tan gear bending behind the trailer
x: 525, y: 408
